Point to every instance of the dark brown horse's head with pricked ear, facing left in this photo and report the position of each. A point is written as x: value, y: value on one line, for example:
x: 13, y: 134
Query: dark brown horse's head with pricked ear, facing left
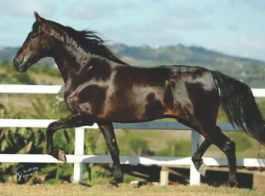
x: 37, y: 45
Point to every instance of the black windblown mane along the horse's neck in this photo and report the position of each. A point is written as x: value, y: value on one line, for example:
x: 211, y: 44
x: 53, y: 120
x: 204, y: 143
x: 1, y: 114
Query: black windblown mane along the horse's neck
x: 89, y: 41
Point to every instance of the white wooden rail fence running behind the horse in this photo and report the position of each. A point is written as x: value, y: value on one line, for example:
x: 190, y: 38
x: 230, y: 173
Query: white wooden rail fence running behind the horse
x: 79, y: 158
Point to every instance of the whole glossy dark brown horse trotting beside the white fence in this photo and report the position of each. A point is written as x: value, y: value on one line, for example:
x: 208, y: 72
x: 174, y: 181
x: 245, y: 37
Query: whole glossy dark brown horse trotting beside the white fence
x: 100, y: 88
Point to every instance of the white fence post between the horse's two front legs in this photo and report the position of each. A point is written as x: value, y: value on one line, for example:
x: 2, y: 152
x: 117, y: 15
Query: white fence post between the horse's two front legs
x: 79, y: 151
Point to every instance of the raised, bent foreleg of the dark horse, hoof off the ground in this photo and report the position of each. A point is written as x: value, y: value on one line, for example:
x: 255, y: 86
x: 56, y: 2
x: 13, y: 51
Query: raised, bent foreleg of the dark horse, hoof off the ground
x: 70, y: 122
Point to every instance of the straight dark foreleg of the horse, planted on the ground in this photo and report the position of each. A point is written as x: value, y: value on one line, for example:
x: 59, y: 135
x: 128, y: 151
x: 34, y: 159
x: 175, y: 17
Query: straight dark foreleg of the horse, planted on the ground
x: 109, y: 135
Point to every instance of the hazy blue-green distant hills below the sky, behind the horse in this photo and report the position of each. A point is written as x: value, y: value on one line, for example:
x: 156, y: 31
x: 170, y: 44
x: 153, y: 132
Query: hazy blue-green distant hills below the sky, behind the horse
x: 249, y: 70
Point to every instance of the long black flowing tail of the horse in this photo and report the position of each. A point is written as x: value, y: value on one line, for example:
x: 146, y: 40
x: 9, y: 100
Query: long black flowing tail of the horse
x: 239, y: 104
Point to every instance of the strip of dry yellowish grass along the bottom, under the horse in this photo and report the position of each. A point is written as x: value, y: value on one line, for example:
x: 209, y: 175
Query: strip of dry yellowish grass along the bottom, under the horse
x: 123, y: 190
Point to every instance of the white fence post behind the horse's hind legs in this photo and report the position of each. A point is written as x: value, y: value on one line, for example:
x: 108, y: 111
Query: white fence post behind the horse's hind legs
x: 195, y: 177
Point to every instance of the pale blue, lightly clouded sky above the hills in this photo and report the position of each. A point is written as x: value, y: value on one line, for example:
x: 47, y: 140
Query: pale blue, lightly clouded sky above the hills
x: 235, y: 27
